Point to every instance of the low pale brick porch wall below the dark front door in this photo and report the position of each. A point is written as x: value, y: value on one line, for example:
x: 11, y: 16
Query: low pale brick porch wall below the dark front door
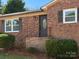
x: 37, y: 42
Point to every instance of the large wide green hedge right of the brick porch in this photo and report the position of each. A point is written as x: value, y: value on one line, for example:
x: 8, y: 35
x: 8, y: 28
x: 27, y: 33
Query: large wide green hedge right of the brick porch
x: 62, y: 49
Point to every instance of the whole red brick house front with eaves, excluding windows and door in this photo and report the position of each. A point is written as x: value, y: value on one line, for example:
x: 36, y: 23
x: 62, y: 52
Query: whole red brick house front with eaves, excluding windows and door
x: 30, y: 21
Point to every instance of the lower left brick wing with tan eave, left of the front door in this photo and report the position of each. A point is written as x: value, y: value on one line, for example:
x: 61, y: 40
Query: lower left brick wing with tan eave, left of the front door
x: 29, y: 25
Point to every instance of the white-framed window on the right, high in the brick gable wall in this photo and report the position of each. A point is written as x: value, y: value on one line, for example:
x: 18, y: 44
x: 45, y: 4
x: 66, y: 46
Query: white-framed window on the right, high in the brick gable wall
x: 70, y: 15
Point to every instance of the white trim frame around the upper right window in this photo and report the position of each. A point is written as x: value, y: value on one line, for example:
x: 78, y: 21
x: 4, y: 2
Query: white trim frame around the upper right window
x: 72, y: 9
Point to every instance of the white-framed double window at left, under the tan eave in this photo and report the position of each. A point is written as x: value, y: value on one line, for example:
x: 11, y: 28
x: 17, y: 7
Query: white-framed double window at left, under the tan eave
x: 12, y: 25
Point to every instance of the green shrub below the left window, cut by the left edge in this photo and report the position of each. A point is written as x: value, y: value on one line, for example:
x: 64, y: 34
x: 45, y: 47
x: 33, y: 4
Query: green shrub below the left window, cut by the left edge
x: 6, y: 40
